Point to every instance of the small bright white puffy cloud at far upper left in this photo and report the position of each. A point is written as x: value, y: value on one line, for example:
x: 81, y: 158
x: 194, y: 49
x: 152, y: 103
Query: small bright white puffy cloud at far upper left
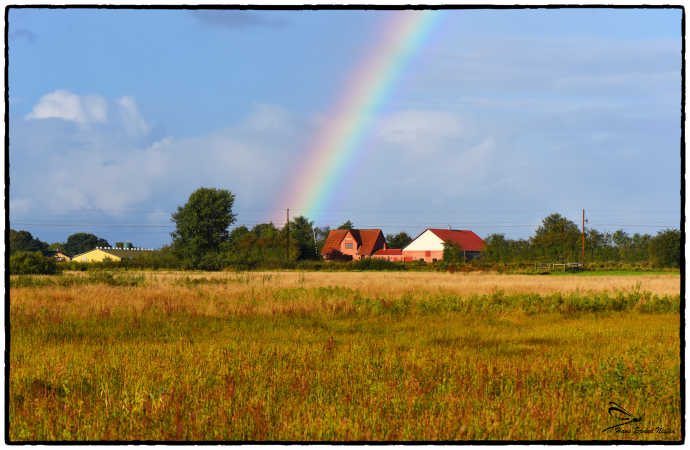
x: 66, y: 105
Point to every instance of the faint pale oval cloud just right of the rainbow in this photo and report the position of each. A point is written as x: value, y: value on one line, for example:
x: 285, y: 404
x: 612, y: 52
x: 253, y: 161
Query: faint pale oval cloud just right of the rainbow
x: 417, y: 128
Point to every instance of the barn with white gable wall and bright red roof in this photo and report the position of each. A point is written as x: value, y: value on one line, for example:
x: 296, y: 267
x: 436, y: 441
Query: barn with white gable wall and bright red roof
x: 428, y: 246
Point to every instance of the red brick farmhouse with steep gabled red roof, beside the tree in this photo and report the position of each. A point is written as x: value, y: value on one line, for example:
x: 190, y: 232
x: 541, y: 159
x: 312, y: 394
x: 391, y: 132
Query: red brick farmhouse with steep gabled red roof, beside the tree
x: 352, y: 244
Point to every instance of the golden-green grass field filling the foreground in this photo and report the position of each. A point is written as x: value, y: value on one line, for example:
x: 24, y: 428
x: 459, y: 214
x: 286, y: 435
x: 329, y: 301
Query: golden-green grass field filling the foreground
x: 343, y: 356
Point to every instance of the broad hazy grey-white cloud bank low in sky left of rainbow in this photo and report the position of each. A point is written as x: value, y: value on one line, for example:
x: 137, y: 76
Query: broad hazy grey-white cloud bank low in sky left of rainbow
x: 111, y: 169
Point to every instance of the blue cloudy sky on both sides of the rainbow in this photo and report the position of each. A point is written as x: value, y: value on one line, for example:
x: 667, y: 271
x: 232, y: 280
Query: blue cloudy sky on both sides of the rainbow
x: 499, y: 119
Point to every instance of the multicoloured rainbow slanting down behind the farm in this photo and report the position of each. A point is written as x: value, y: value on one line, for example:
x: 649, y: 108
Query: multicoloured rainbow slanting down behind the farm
x: 335, y: 146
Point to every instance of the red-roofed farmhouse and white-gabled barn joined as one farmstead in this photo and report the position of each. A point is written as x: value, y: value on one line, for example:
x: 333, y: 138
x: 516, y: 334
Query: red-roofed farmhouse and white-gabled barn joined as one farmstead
x: 428, y: 246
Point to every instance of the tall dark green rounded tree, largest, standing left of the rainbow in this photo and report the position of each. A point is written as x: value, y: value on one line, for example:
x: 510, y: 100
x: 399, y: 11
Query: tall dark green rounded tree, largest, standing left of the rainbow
x: 202, y: 224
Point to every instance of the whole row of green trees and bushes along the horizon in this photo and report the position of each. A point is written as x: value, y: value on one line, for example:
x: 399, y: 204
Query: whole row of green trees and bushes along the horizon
x: 203, y: 239
